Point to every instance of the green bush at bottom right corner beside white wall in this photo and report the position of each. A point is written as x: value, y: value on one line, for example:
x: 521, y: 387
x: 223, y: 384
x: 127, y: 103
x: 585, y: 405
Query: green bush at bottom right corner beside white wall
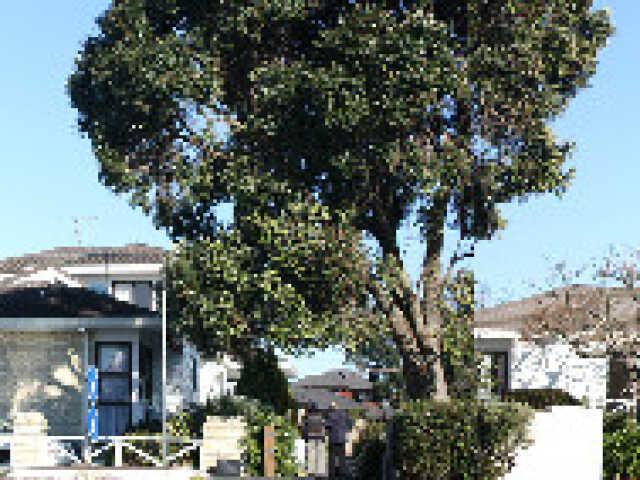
x: 621, y: 447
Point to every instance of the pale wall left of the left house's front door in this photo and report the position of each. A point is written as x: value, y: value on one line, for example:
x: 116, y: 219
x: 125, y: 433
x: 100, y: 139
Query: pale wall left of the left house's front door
x: 43, y: 372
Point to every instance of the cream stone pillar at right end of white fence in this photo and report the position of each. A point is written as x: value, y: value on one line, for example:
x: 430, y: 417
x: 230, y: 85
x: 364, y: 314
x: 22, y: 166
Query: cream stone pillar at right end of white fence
x: 220, y: 440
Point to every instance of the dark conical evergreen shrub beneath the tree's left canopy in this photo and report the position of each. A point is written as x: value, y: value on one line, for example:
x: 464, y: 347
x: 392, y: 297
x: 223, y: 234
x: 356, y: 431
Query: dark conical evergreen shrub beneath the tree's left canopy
x: 262, y: 379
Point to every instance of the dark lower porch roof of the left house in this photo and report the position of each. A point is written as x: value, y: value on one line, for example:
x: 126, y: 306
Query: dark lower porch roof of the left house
x: 52, y: 301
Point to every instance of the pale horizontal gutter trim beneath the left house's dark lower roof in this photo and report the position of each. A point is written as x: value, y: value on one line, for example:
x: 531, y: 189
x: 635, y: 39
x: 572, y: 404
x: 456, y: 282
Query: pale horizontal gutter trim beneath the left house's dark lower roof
x: 73, y: 323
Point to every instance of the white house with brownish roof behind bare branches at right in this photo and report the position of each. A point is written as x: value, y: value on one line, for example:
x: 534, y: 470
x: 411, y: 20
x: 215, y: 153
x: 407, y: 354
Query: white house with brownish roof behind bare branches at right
x: 578, y: 338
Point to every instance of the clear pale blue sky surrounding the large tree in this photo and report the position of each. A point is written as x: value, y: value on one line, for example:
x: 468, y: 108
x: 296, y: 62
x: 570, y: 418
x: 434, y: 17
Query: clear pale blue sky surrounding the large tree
x: 48, y: 174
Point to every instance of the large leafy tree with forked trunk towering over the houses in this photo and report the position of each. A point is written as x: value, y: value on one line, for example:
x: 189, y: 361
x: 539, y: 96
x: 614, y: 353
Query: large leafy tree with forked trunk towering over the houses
x: 343, y: 116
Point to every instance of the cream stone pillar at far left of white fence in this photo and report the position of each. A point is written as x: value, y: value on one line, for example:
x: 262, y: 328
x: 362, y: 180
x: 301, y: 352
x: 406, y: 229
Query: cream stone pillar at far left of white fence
x: 29, y: 445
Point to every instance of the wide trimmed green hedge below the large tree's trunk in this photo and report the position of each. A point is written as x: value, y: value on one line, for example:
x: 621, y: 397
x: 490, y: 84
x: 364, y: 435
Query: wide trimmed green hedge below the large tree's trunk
x: 458, y: 440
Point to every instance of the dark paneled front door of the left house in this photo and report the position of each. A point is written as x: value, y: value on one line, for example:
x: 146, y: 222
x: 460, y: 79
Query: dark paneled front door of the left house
x: 114, y: 387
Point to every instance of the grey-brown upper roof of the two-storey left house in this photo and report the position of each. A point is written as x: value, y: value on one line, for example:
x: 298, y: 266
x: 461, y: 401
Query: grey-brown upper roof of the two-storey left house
x: 67, y: 256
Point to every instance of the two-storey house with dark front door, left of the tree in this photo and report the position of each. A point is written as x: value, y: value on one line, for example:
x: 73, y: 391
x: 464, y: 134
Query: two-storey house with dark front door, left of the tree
x: 68, y: 310
